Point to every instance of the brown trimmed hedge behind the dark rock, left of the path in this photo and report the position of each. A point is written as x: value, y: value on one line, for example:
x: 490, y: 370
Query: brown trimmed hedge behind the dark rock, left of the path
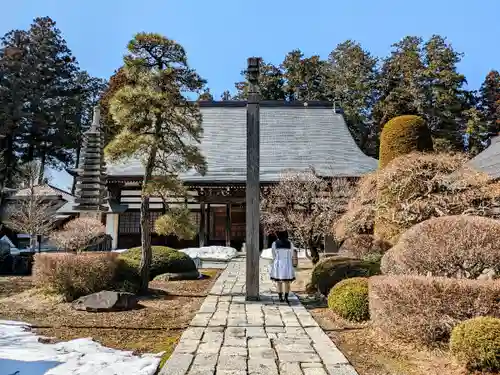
x: 75, y: 275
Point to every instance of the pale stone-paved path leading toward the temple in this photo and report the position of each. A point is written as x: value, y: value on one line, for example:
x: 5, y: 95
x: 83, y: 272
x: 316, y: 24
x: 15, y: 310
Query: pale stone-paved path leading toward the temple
x: 230, y: 336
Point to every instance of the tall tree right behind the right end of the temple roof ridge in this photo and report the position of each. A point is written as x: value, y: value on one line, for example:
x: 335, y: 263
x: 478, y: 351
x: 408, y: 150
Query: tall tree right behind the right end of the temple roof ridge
x: 352, y: 81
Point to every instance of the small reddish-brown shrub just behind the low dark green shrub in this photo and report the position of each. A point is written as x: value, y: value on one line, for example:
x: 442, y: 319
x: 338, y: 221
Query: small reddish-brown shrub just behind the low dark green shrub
x: 363, y: 246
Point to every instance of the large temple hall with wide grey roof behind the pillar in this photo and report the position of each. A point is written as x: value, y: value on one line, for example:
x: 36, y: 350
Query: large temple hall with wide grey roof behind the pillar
x: 293, y: 137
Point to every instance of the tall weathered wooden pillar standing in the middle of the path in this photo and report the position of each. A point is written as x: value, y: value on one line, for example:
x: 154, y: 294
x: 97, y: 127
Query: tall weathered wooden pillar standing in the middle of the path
x: 253, y: 183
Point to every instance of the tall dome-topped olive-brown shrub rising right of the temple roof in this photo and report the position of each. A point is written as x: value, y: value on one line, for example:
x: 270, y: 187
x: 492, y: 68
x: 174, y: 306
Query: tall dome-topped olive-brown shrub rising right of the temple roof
x: 402, y: 135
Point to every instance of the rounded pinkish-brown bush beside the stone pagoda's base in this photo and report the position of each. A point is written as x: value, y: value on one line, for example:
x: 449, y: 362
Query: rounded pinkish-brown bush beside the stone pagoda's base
x: 79, y: 233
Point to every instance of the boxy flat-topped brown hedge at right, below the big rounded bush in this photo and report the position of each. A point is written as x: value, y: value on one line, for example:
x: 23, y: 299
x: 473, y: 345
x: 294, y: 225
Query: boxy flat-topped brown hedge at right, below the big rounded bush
x: 425, y: 309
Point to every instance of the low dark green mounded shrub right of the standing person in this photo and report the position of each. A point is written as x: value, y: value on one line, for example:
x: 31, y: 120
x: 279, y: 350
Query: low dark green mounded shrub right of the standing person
x: 330, y: 271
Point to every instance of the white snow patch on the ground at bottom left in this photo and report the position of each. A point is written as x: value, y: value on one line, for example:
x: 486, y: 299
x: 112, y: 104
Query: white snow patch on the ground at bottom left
x: 22, y: 354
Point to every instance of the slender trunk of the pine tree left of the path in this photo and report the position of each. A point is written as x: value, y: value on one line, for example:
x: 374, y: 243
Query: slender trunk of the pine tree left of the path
x: 146, y: 252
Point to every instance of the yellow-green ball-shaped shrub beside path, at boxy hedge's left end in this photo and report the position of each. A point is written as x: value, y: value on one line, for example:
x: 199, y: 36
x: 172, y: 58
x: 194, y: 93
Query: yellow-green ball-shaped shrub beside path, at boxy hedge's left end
x: 349, y: 299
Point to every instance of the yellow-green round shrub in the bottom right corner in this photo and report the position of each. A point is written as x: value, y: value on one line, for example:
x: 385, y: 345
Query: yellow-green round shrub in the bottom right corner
x: 476, y: 343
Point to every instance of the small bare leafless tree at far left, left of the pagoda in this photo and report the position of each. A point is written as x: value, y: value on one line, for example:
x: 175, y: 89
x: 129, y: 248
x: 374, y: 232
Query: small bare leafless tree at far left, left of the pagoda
x: 31, y: 212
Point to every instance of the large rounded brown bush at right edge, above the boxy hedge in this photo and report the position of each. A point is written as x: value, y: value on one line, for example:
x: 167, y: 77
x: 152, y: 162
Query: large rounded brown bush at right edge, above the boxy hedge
x: 449, y: 246
